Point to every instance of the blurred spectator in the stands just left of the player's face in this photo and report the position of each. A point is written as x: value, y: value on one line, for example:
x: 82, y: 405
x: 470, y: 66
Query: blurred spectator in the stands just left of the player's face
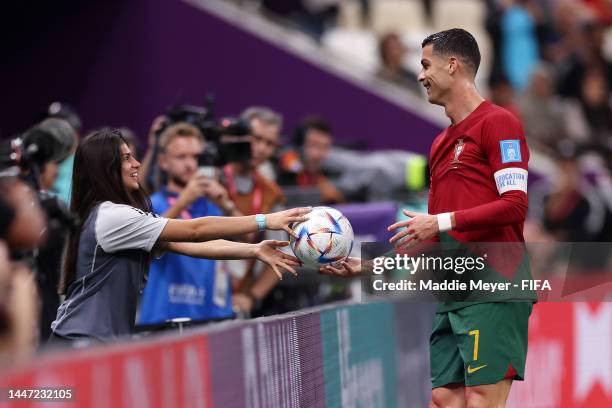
x: 392, y: 52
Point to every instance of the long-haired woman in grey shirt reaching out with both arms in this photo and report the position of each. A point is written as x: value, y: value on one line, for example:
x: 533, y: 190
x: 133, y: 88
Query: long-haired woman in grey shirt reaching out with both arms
x: 107, y: 257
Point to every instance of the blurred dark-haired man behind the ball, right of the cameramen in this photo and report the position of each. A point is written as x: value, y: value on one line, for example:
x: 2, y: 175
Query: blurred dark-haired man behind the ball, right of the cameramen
x: 303, y: 167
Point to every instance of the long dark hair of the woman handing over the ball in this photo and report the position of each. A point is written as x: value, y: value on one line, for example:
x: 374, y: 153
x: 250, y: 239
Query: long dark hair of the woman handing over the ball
x: 96, y: 177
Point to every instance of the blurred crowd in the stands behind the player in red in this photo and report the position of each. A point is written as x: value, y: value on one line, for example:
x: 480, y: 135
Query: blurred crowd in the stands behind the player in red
x: 550, y: 66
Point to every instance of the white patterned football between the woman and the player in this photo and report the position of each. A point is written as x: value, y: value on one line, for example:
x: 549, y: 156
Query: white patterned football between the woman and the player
x: 325, y: 238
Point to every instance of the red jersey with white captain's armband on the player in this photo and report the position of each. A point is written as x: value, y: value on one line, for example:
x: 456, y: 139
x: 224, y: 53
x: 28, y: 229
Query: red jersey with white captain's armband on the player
x: 479, y: 170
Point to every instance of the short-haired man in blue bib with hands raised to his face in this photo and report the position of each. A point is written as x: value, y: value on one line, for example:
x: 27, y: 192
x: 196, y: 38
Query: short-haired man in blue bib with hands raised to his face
x: 178, y: 285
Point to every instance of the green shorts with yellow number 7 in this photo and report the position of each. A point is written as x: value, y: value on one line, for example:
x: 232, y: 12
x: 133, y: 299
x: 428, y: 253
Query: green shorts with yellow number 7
x: 479, y: 344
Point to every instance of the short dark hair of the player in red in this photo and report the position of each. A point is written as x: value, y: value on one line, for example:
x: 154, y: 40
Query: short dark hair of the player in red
x: 456, y: 42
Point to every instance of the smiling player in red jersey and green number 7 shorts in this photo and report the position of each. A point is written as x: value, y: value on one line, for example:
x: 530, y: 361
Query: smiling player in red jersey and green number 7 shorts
x: 478, y: 194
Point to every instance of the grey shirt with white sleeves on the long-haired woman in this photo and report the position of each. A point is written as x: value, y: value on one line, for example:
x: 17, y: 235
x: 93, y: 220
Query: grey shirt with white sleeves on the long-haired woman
x: 112, y: 259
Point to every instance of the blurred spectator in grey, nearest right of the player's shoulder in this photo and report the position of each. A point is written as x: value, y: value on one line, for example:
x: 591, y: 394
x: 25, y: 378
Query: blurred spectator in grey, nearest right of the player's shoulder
x: 541, y: 111
